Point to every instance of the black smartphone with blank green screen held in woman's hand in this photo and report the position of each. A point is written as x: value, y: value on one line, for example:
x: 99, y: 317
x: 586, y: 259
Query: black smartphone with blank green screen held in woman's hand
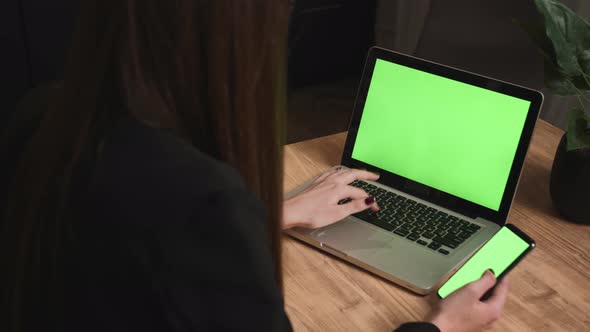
x: 500, y: 254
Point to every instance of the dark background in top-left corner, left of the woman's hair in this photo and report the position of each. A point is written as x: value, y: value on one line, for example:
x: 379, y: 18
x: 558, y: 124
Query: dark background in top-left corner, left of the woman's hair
x: 34, y: 35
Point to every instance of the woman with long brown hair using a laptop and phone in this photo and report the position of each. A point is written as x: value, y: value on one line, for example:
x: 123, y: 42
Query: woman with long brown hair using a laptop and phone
x: 149, y: 196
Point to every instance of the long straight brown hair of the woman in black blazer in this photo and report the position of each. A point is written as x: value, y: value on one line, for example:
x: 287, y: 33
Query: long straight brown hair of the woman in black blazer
x: 213, y: 70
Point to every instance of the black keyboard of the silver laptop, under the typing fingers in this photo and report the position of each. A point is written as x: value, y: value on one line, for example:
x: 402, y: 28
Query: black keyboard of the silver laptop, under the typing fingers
x: 417, y: 222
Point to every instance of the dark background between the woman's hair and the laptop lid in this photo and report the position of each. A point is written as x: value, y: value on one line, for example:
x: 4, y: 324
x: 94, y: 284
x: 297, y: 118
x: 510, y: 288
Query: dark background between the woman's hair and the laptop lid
x: 328, y: 43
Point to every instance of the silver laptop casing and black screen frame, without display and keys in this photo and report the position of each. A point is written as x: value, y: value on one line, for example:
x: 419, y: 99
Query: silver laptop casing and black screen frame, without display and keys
x: 396, y: 258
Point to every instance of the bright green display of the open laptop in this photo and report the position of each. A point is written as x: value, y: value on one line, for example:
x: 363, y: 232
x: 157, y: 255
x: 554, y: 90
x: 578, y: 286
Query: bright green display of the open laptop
x: 449, y: 135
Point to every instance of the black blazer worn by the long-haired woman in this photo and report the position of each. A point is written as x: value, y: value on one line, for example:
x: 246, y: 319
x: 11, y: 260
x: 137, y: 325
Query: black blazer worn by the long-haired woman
x: 169, y: 239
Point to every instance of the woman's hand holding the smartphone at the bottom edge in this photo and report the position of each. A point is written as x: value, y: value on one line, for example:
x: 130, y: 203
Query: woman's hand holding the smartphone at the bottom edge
x: 462, y: 311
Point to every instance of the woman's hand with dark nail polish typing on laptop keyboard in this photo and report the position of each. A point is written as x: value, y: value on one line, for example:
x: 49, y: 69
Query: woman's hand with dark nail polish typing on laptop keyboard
x: 317, y: 206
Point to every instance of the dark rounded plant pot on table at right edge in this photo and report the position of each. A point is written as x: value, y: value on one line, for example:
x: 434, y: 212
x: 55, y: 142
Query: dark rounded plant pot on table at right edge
x: 570, y: 183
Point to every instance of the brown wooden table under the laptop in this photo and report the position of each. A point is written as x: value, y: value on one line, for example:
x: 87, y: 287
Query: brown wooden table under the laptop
x: 550, y: 289
